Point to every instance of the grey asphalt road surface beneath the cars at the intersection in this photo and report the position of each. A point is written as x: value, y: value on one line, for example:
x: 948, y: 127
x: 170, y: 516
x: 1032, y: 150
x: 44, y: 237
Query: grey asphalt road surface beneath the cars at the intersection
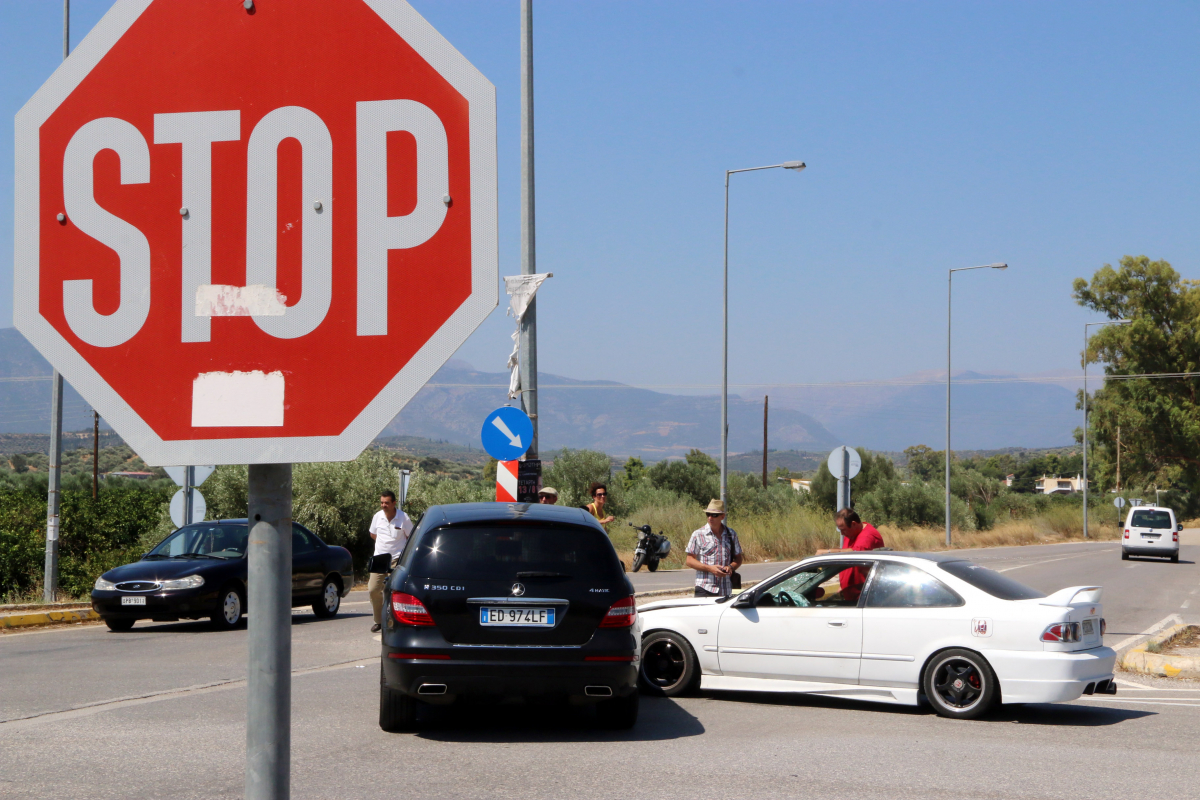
x: 161, y: 712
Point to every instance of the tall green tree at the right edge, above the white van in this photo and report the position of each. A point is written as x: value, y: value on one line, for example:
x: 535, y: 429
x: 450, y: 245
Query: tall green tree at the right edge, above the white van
x: 1160, y: 419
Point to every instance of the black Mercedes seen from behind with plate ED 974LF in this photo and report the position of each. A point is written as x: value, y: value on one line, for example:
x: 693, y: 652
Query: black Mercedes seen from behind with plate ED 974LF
x: 495, y: 601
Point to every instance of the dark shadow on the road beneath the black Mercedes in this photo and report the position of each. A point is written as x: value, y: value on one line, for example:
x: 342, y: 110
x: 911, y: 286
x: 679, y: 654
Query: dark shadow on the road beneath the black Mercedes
x: 659, y: 719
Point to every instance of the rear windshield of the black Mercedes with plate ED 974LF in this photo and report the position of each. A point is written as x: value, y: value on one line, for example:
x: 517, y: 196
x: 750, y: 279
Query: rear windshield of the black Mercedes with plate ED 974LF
x: 501, y: 554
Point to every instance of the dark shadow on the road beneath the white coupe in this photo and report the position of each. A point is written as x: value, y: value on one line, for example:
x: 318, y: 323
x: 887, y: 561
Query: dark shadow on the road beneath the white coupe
x: 1052, y: 714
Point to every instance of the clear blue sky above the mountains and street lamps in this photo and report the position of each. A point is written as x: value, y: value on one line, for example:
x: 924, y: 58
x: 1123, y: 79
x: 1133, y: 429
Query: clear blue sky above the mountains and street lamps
x: 1057, y: 137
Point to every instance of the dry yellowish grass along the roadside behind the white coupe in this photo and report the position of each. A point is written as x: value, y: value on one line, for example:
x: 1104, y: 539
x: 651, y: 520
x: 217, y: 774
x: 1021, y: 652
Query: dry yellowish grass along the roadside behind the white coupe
x: 802, y: 532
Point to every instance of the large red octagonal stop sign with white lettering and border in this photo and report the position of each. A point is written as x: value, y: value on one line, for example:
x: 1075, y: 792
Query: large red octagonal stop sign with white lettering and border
x: 253, y: 237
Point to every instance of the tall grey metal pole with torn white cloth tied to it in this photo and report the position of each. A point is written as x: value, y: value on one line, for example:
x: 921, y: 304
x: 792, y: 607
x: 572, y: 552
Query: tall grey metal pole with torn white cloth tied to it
x: 529, y: 339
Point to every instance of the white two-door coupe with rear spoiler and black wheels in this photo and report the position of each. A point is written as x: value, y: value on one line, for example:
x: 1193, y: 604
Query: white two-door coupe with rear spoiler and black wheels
x: 922, y: 625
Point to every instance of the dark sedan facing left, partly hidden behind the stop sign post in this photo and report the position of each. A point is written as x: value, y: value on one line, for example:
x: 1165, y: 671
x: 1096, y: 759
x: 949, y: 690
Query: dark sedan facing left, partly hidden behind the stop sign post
x: 201, y: 572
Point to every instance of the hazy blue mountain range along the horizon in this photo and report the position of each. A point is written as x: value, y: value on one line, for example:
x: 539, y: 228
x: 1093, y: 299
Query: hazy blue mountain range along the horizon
x: 991, y: 412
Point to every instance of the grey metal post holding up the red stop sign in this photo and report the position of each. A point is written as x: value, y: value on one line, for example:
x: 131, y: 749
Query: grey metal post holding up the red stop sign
x: 269, y: 603
